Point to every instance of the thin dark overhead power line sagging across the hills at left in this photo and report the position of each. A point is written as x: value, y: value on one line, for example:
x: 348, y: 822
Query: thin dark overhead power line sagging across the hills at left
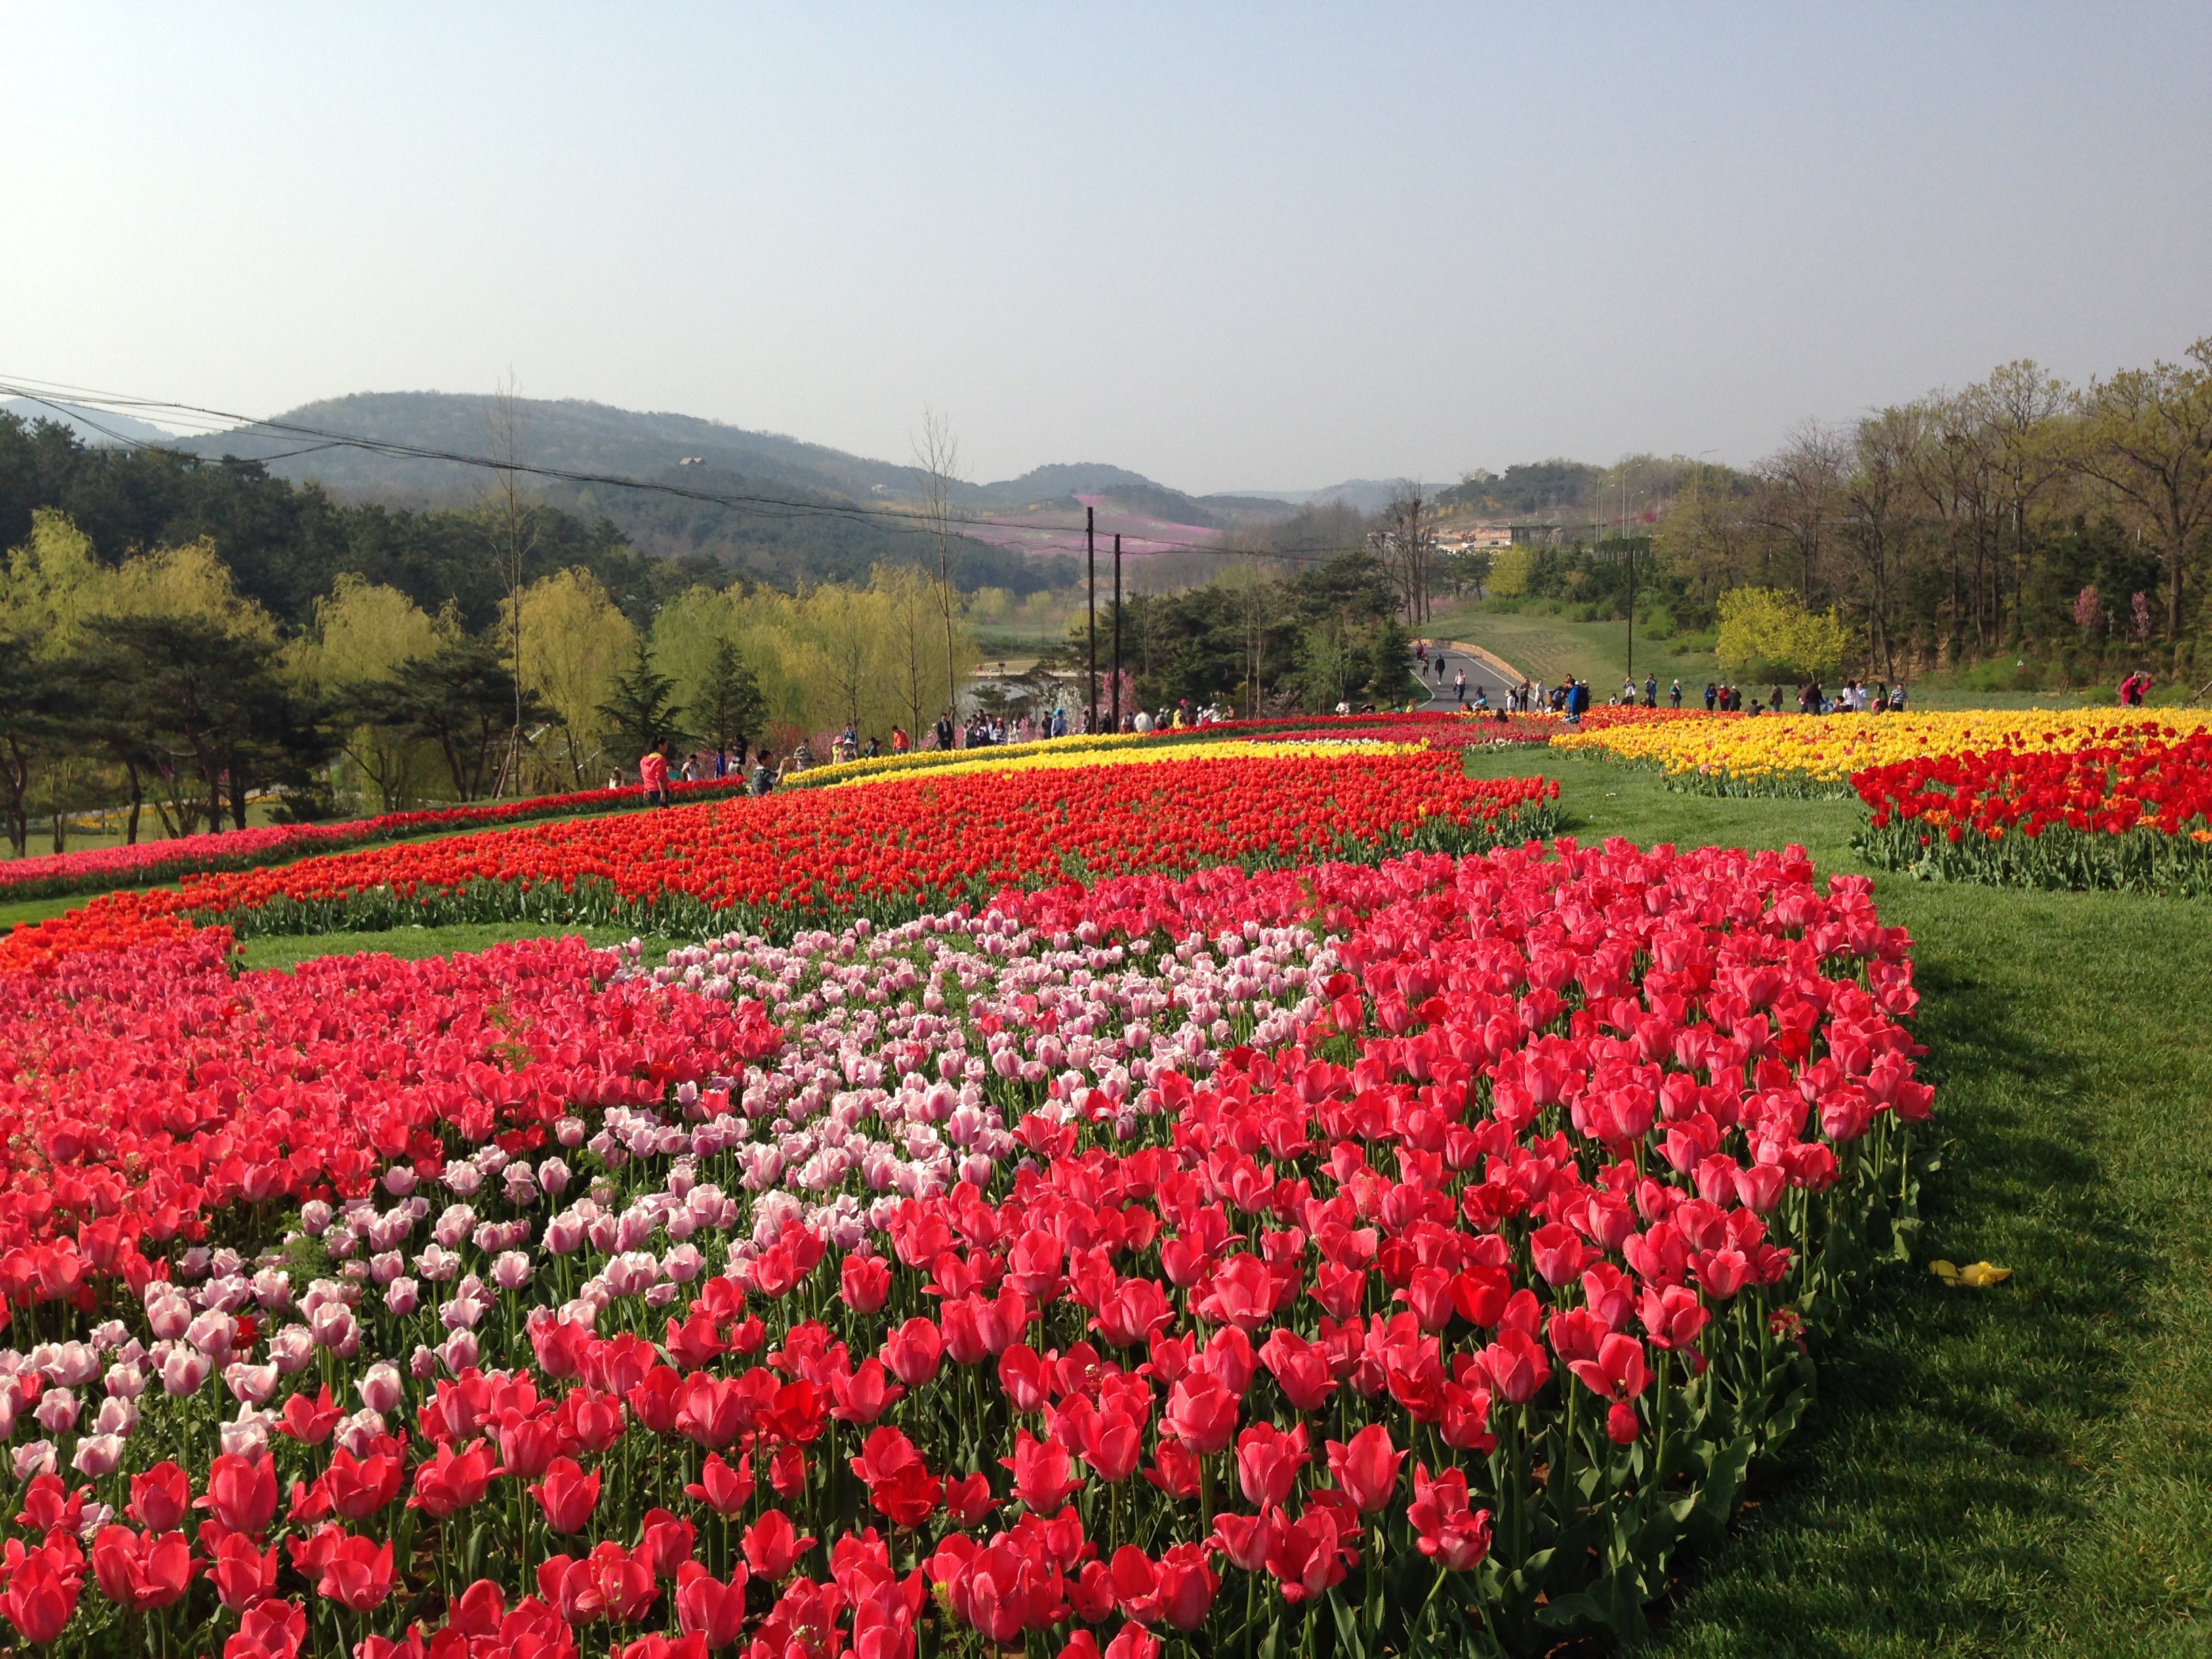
x: 63, y: 399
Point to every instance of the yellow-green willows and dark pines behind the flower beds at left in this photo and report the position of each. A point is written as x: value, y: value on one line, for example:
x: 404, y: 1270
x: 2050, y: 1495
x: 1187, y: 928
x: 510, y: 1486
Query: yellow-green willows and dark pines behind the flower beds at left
x: 158, y: 687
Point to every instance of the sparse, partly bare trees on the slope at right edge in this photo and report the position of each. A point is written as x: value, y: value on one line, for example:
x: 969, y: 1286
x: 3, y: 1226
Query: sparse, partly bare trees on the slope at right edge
x: 2021, y: 521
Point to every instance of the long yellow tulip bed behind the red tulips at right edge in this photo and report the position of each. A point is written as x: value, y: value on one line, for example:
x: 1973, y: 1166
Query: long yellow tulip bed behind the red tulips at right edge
x: 1830, y: 749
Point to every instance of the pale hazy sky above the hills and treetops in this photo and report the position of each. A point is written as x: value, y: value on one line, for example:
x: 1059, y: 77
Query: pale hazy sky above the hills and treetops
x: 1229, y: 247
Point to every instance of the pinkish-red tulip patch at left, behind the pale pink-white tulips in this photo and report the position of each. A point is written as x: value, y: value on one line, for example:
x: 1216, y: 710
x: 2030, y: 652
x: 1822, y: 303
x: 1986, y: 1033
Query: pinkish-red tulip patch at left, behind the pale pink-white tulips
x: 149, y: 1089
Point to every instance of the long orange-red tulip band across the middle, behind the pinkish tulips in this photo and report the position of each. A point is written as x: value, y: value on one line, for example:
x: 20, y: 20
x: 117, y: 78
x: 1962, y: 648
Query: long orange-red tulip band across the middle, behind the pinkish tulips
x: 886, y: 848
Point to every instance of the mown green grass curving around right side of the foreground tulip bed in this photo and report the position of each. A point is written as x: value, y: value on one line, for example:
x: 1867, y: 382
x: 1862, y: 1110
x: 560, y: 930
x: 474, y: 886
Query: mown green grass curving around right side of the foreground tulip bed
x: 2023, y: 1470
